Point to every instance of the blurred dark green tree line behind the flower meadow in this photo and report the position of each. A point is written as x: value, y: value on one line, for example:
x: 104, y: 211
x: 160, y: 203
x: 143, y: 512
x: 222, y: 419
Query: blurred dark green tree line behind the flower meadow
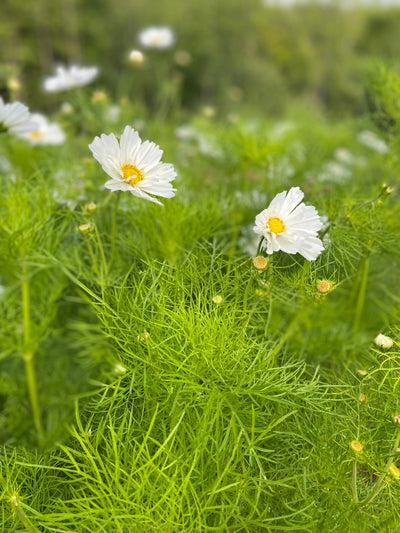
x: 241, y: 51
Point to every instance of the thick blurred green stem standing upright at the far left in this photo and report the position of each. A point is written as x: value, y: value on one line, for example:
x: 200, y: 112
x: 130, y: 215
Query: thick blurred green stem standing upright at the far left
x: 29, y: 358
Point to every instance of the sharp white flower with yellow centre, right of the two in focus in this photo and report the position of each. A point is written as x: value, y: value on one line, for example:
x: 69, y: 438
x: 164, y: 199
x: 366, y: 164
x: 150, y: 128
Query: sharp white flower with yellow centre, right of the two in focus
x: 290, y: 226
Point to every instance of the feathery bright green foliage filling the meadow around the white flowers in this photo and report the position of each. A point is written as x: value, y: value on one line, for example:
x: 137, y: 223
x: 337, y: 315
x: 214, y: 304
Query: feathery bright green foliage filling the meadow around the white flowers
x: 132, y: 399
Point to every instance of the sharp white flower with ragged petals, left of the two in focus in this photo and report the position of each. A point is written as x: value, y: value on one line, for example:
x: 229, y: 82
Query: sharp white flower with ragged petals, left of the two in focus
x: 134, y: 166
